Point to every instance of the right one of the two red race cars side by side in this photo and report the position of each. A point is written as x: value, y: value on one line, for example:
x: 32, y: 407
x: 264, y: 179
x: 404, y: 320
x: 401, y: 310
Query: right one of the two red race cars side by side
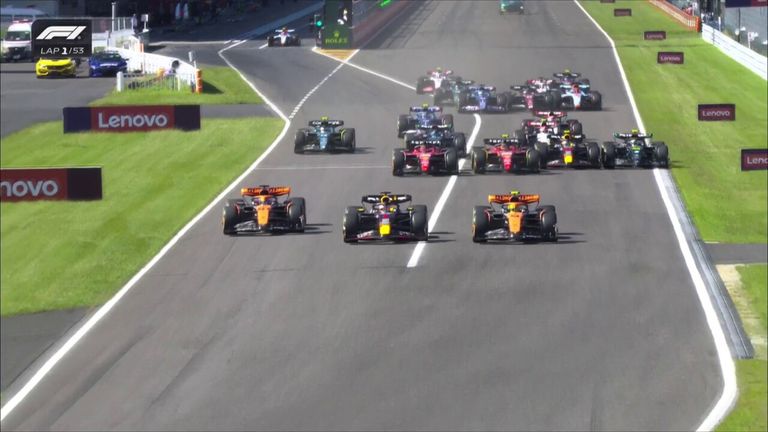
x: 505, y: 154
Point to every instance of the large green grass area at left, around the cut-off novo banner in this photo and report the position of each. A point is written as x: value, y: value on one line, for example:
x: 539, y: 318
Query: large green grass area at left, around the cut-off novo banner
x: 59, y: 255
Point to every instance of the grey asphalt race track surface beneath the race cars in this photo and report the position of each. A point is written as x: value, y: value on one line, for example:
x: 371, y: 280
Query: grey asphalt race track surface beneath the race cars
x: 600, y: 331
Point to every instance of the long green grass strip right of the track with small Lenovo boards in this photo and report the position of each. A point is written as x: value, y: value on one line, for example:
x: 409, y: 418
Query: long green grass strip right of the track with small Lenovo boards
x: 727, y: 205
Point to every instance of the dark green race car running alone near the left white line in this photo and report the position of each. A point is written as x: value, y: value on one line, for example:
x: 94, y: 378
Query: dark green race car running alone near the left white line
x: 325, y: 136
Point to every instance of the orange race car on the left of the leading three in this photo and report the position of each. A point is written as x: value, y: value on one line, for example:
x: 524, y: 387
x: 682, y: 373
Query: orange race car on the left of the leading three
x: 260, y: 211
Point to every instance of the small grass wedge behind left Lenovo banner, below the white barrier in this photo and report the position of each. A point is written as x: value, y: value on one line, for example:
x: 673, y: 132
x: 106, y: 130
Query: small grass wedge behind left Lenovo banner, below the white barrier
x: 221, y: 85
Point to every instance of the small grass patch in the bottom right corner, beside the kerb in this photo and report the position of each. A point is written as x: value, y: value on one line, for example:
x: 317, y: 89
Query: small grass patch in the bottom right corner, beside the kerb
x: 751, y: 411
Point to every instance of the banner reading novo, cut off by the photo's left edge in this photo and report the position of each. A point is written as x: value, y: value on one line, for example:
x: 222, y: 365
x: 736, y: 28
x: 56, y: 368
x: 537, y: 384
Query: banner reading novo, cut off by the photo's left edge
x: 35, y: 184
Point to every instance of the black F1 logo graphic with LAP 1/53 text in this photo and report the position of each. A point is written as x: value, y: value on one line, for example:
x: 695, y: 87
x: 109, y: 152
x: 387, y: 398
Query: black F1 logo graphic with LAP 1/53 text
x: 52, y: 38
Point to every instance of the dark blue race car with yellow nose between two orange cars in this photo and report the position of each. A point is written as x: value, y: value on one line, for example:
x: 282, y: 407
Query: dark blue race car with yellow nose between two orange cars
x: 381, y: 218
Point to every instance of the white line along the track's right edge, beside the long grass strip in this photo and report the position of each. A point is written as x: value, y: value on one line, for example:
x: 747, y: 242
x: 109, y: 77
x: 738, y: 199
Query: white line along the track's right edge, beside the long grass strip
x: 727, y: 366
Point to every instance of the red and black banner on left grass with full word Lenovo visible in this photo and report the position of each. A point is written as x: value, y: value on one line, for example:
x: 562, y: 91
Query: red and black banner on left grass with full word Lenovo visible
x: 131, y: 118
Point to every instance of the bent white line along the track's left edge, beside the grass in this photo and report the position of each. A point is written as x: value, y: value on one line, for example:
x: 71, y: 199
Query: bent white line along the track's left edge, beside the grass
x: 49, y: 364
